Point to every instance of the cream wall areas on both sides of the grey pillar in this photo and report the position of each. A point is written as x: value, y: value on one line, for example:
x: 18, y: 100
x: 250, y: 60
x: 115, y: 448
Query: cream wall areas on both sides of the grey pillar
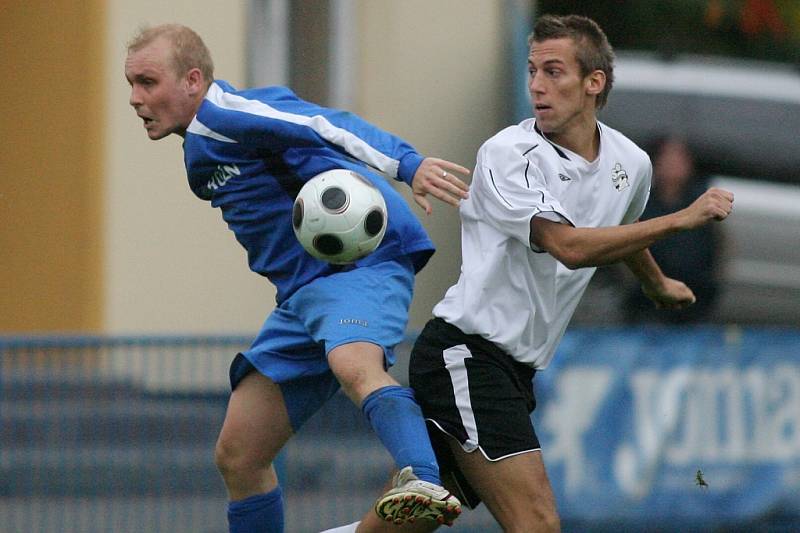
x: 432, y: 72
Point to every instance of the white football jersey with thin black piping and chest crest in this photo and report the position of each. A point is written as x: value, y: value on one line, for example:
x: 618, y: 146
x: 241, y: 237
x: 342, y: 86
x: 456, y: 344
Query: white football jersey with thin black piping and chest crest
x: 517, y: 297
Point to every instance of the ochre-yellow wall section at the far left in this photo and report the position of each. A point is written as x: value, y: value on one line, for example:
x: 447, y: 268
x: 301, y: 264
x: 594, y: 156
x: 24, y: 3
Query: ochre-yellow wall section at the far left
x: 51, y: 127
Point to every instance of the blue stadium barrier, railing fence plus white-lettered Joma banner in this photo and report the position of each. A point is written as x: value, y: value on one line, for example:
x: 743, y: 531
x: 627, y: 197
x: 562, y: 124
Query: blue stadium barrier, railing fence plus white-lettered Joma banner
x: 103, y: 434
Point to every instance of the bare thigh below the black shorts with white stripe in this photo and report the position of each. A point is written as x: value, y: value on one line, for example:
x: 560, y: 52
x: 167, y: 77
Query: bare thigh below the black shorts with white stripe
x: 516, y: 489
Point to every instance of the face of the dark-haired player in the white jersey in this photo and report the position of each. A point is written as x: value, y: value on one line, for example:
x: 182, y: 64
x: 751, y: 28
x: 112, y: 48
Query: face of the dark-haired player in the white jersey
x: 559, y: 93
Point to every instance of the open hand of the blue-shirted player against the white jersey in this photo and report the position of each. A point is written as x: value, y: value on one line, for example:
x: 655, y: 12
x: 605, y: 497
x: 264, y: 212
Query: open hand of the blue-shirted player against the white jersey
x: 440, y: 179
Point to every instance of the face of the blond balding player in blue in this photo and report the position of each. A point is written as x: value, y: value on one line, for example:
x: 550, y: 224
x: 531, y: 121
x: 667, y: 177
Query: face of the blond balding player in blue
x: 163, y: 100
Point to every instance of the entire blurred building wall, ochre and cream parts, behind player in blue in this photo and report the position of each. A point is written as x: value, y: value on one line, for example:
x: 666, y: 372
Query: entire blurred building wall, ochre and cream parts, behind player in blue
x: 101, y: 233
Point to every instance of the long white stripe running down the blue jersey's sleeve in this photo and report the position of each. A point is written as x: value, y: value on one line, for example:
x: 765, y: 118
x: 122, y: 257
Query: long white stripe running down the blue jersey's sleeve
x: 354, y: 145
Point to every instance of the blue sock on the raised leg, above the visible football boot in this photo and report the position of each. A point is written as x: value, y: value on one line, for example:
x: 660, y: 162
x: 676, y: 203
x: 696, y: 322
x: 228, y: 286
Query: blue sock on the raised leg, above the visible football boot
x: 397, y: 419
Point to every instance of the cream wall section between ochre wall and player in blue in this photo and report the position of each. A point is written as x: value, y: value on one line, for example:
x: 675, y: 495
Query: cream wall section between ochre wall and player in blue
x: 171, y: 264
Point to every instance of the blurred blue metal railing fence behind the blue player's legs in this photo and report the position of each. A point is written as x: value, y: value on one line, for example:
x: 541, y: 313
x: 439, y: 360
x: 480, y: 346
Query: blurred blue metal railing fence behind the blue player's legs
x: 117, y: 434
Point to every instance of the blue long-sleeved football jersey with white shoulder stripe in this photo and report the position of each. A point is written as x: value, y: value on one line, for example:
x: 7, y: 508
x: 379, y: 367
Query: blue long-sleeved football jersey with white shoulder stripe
x: 249, y: 152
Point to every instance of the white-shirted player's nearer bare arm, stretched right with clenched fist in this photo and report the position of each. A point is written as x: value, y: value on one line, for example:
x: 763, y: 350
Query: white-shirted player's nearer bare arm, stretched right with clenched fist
x: 587, y: 247
